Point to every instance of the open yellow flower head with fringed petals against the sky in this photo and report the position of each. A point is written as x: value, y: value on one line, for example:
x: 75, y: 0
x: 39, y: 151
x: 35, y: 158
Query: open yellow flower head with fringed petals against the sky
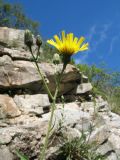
x: 68, y: 44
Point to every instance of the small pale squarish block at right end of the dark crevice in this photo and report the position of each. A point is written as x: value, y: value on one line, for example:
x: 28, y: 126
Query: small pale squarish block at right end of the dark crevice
x: 83, y: 88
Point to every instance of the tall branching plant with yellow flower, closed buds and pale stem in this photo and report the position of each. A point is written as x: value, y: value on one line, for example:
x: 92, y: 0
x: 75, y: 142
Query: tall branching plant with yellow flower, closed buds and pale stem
x: 67, y: 45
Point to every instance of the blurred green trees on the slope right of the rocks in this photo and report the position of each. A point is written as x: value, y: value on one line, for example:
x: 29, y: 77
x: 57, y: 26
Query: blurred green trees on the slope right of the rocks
x: 105, y: 83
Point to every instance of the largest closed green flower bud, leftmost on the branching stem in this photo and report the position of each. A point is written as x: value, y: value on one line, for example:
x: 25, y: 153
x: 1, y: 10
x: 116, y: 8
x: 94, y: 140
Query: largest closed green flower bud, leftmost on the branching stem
x: 28, y: 38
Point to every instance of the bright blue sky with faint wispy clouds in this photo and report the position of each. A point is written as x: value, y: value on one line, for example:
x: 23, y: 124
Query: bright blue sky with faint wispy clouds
x: 97, y: 20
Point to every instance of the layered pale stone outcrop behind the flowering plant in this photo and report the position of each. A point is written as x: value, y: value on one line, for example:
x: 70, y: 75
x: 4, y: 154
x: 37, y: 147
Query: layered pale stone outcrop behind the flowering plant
x: 25, y: 106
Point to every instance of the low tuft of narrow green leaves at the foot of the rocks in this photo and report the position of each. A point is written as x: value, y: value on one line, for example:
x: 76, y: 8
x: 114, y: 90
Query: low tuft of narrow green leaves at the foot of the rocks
x: 78, y: 149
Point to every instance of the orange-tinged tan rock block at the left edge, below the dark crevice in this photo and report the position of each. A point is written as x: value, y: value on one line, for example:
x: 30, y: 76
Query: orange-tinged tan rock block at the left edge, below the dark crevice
x: 8, y: 108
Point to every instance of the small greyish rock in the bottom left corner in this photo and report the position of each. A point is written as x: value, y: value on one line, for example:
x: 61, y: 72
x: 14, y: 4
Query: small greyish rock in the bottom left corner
x: 5, y: 154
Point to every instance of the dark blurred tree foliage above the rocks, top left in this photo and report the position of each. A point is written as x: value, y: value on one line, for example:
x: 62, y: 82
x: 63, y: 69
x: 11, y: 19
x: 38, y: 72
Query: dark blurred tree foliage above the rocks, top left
x: 12, y: 15
